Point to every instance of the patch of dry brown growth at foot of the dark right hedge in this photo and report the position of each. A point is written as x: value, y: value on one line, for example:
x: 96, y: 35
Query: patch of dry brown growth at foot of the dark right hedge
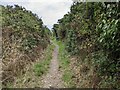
x: 84, y: 74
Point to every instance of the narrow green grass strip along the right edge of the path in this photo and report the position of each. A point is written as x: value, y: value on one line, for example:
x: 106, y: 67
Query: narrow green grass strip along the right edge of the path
x: 65, y: 65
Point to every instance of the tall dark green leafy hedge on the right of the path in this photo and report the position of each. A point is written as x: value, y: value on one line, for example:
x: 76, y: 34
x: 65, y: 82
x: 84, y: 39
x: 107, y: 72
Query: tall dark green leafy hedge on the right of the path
x: 92, y: 29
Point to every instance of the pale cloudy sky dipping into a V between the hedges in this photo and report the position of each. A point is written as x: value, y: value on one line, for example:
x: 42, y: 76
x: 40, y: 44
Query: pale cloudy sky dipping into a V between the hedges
x: 49, y: 10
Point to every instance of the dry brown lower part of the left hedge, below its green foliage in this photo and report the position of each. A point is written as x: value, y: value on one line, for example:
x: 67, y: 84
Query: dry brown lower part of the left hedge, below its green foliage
x: 14, y: 61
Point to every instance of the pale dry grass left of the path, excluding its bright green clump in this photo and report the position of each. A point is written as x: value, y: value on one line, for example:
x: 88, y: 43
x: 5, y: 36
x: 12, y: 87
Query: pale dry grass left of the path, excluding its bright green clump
x: 29, y: 79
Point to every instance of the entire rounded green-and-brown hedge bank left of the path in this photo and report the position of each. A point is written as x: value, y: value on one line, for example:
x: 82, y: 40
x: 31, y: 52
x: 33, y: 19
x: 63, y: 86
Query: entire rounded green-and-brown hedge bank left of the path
x: 24, y: 37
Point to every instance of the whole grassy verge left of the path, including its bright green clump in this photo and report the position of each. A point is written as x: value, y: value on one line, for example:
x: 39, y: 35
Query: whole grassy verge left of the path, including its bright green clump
x: 34, y: 71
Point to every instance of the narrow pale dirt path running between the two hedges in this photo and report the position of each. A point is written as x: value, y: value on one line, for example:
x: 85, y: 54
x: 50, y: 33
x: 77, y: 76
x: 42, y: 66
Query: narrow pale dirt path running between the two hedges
x: 53, y: 78
